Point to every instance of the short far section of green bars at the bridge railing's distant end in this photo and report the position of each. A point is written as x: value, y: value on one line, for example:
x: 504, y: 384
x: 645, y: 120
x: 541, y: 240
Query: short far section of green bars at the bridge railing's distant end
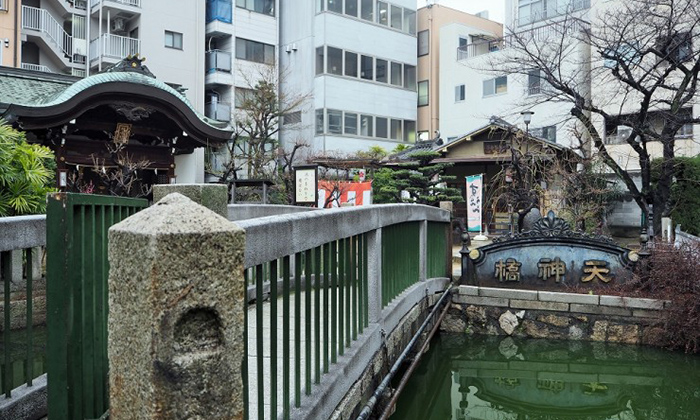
x: 400, y: 259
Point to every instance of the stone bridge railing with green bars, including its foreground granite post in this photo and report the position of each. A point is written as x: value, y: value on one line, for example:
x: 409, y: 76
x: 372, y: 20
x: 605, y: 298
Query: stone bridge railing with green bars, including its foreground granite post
x: 326, y: 291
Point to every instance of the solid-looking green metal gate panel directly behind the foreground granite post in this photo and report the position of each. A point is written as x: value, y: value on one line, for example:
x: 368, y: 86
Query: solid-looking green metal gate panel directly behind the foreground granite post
x: 77, y: 272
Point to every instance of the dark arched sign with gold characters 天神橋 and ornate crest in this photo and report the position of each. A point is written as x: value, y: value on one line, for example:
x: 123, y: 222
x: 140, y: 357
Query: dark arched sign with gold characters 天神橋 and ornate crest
x: 550, y: 257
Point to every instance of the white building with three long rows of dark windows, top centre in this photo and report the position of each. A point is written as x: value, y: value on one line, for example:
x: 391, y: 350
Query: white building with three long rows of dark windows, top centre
x: 355, y: 63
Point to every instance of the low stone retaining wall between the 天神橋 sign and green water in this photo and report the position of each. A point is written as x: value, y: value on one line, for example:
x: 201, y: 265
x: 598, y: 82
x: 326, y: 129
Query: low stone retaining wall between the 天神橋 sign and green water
x: 539, y: 314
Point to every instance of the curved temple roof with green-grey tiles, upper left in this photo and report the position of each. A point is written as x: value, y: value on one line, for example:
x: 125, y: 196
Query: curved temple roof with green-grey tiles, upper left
x: 43, y: 101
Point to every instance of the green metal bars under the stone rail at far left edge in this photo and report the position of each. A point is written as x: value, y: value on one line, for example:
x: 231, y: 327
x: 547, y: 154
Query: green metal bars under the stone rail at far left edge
x: 22, y: 356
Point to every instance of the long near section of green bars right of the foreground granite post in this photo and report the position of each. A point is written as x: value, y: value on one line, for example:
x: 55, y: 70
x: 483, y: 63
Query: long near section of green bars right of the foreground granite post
x: 320, y: 297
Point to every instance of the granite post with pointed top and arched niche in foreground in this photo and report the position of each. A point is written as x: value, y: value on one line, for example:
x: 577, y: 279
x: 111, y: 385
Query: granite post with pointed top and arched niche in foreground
x: 176, y: 314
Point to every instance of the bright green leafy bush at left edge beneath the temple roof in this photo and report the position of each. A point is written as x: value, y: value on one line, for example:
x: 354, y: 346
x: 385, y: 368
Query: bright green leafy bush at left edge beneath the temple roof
x: 25, y: 174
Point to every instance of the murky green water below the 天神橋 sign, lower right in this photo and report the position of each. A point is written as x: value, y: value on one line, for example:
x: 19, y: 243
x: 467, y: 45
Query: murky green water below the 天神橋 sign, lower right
x: 495, y: 378
